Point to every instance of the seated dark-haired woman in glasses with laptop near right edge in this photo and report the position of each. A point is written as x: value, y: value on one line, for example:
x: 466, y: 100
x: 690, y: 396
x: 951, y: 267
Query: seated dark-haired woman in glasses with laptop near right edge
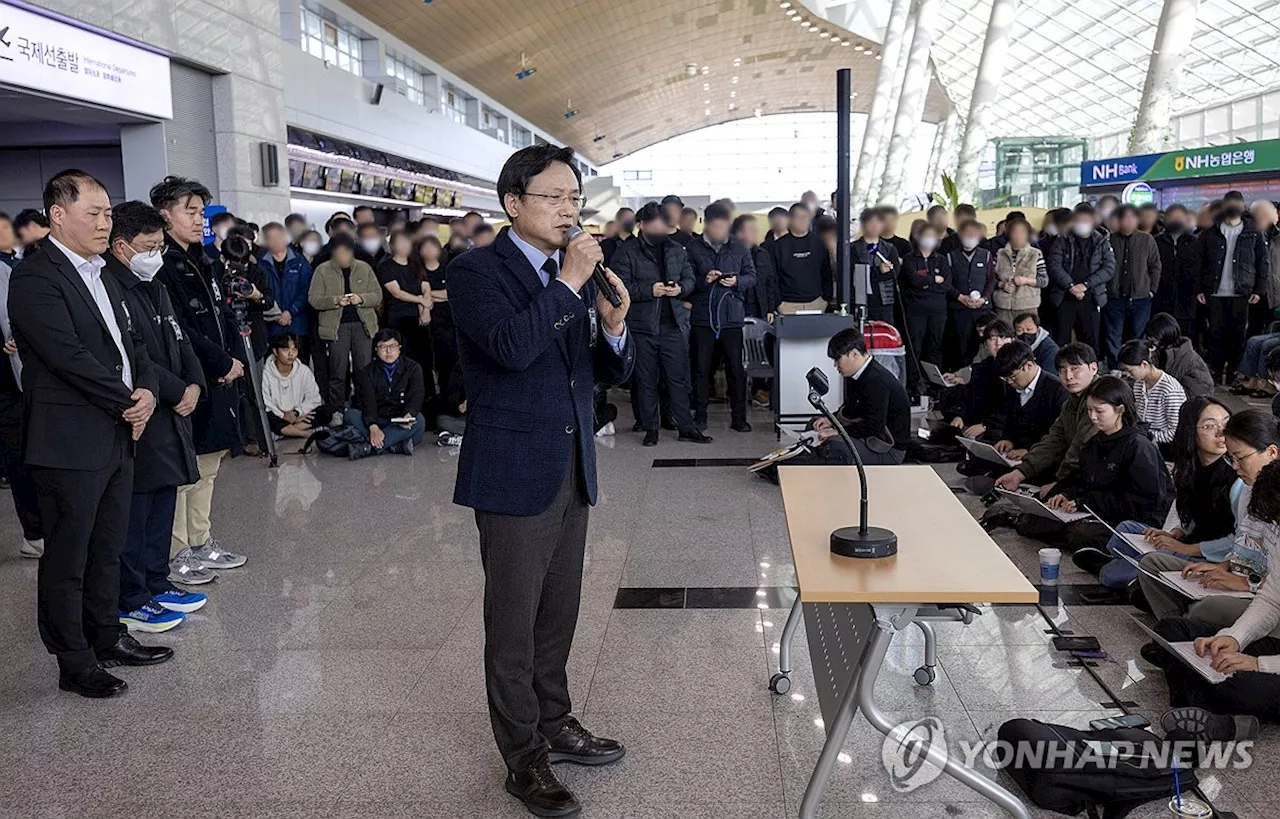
x: 1252, y: 443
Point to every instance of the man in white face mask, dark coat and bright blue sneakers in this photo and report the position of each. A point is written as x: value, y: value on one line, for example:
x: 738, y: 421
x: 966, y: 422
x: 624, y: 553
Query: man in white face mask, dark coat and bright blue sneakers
x: 167, y: 452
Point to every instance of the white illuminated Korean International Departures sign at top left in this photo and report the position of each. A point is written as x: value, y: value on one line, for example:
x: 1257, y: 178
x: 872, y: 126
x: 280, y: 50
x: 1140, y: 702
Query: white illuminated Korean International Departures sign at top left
x: 48, y: 56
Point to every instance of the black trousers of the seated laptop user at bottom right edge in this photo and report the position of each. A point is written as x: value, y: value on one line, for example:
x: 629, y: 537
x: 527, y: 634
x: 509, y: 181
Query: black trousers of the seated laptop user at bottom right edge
x: 1244, y: 693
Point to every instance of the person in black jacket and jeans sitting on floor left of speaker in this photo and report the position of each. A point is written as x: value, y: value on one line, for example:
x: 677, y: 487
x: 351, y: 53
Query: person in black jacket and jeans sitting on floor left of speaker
x: 390, y: 388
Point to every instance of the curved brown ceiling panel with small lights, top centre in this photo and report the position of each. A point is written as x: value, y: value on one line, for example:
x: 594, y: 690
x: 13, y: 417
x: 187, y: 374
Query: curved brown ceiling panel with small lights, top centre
x: 638, y: 74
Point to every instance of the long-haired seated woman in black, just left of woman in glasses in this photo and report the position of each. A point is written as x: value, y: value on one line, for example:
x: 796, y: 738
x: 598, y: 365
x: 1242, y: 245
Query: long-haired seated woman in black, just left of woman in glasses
x: 1205, y: 493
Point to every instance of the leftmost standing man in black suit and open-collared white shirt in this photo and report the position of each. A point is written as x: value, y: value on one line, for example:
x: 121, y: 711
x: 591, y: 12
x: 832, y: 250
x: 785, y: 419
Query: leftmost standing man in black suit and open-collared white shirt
x: 89, y: 391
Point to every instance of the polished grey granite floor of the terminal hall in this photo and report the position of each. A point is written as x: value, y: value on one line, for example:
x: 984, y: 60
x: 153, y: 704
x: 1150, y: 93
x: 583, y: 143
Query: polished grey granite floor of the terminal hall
x: 339, y: 675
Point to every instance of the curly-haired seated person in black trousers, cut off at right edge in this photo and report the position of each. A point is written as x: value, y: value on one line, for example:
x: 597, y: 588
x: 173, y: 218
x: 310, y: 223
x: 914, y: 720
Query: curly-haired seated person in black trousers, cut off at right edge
x: 1247, y: 651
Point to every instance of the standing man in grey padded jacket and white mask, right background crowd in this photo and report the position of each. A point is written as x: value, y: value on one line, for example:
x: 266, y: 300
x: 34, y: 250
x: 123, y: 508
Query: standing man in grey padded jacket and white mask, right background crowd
x: 1080, y: 268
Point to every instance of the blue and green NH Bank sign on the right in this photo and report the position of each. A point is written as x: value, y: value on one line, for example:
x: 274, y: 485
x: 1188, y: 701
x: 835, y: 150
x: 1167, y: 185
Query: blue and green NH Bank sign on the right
x: 1242, y: 158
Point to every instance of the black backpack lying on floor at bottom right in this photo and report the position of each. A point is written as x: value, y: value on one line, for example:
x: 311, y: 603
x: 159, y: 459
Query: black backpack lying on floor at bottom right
x: 1077, y: 779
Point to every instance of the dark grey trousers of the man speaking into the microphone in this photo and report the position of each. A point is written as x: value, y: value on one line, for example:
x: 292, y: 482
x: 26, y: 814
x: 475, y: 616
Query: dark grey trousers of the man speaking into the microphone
x: 533, y: 569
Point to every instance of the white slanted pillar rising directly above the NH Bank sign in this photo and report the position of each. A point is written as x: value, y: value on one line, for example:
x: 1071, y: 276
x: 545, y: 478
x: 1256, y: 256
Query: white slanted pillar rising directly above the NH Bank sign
x: 1173, y: 40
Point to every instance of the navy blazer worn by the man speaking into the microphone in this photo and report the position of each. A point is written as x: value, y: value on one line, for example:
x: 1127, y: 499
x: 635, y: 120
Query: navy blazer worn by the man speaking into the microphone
x: 529, y: 367
